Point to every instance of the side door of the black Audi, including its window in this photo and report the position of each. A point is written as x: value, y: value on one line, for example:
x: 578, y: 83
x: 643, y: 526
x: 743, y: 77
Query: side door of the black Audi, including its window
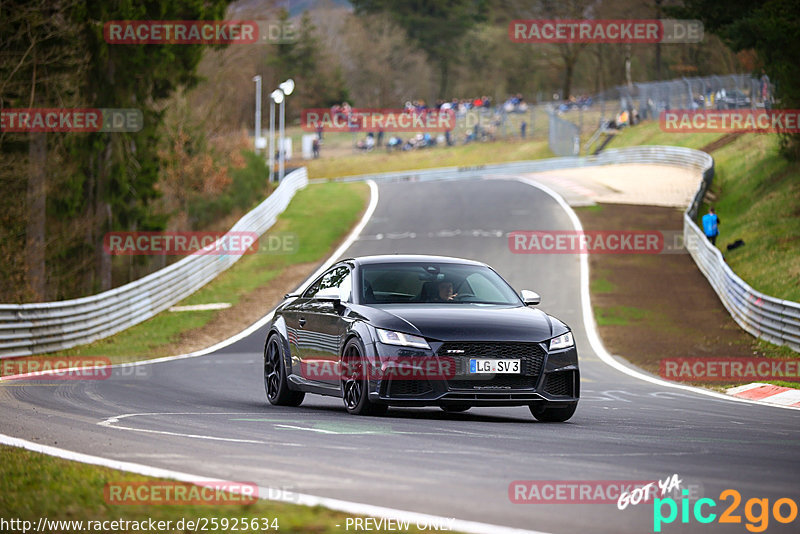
x: 321, y: 326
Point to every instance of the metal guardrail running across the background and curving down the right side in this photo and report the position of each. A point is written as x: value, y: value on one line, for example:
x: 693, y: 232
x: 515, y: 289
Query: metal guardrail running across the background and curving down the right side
x: 769, y: 318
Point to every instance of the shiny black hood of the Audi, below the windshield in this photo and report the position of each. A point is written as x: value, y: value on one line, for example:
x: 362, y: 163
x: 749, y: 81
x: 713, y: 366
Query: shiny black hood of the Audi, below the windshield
x: 469, y: 322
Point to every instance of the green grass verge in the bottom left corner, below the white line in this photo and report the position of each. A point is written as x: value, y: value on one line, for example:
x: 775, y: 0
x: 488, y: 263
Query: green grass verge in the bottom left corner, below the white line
x: 40, y: 486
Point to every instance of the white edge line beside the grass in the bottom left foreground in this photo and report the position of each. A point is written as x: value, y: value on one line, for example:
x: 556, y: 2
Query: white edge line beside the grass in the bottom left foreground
x: 270, y: 493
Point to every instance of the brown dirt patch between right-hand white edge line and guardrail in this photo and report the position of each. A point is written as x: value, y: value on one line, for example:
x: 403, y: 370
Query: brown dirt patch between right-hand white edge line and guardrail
x: 663, y: 306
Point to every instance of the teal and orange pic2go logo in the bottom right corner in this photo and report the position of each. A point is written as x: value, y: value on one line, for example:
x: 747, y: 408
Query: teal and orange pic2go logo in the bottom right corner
x: 757, y: 521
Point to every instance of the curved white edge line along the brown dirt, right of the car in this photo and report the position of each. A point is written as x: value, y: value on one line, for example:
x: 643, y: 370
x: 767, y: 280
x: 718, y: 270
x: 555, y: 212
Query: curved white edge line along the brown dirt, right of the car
x: 591, y: 327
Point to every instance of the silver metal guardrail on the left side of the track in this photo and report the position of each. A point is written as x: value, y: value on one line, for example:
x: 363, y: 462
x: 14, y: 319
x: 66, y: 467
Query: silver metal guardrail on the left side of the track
x: 49, y: 326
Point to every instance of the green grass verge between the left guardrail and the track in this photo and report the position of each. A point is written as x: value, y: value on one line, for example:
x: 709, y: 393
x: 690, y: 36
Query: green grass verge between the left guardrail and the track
x: 318, y: 218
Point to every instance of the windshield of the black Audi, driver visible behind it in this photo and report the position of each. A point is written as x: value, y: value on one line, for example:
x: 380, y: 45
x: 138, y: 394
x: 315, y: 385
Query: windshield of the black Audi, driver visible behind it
x: 451, y: 283
